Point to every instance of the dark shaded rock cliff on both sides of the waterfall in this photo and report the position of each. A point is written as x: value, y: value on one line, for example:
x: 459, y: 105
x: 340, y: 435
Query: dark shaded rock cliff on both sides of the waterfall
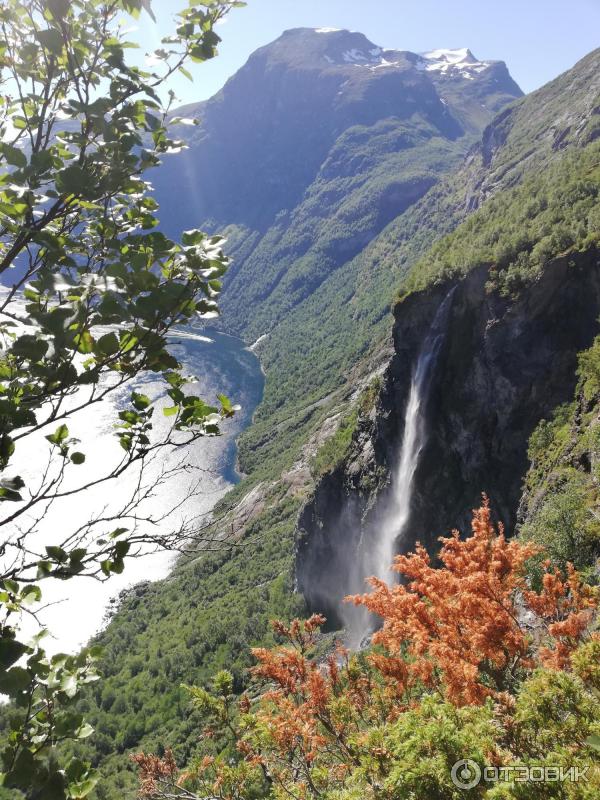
x: 503, y: 367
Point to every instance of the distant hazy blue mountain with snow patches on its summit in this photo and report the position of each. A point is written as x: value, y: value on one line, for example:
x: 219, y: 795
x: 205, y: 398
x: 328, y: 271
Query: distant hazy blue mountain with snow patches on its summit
x: 312, y: 148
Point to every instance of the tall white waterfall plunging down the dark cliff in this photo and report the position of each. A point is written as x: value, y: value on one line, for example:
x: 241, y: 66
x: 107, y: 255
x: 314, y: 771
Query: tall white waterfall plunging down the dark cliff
x: 379, y: 546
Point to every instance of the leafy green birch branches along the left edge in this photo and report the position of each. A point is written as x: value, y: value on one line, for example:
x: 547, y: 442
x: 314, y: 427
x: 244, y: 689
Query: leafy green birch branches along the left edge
x: 92, y: 291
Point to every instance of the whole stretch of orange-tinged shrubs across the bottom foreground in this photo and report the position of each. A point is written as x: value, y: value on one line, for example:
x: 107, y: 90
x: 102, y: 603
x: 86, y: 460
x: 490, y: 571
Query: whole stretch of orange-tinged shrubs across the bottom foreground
x: 466, y: 630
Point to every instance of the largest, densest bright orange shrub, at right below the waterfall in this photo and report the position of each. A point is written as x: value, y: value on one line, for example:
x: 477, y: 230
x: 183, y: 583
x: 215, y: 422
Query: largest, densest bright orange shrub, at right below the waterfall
x: 460, y: 628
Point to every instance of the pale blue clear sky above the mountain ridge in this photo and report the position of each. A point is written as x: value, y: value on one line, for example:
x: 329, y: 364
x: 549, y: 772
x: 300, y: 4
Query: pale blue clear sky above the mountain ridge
x: 538, y: 39
